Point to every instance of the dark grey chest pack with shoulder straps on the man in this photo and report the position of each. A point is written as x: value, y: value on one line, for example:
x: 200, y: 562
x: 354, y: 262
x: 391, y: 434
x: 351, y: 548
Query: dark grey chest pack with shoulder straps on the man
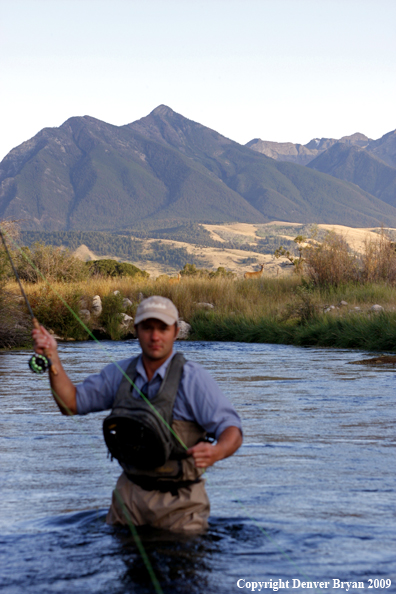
x: 134, y: 433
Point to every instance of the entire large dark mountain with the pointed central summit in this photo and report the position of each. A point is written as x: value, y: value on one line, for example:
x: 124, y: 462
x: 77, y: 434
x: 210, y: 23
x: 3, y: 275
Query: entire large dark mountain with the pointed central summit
x: 89, y: 175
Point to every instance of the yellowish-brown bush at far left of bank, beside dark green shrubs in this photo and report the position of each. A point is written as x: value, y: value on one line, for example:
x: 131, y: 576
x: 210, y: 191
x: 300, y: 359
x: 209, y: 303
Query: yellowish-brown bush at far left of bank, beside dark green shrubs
x: 54, y: 264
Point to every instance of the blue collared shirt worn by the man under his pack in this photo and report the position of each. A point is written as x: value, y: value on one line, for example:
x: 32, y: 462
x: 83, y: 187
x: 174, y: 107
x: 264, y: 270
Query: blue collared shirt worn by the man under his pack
x: 198, y: 398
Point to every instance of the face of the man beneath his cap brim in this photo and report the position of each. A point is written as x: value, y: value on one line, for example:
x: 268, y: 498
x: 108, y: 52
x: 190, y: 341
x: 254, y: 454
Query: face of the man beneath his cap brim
x: 156, y: 338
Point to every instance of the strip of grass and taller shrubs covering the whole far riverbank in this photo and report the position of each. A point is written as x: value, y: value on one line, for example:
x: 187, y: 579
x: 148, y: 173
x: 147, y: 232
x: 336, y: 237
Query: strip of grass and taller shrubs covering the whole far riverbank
x: 328, y: 302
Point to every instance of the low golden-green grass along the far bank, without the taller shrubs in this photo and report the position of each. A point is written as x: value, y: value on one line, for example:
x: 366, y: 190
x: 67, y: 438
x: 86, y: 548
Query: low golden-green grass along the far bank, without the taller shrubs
x: 285, y: 310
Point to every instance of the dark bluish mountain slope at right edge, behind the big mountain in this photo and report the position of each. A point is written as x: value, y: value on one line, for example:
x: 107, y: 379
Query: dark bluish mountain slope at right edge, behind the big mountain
x: 360, y: 167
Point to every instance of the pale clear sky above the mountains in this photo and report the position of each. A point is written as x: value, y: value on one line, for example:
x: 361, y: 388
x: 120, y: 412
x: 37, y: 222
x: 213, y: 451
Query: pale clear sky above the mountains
x: 279, y: 70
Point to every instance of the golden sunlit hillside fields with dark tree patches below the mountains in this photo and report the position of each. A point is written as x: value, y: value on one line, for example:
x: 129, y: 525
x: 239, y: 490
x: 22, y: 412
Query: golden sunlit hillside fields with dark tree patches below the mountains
x: 239, y: 247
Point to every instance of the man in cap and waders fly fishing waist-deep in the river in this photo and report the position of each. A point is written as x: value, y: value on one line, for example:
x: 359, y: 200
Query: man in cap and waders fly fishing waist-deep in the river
x: 163, y: 454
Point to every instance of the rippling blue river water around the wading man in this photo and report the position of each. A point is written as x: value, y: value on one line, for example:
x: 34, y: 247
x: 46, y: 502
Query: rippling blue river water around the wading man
x: 309, y: 497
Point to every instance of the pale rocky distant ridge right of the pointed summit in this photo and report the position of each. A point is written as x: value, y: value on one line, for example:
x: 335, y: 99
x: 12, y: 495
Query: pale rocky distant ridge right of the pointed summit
x: 302, y: 154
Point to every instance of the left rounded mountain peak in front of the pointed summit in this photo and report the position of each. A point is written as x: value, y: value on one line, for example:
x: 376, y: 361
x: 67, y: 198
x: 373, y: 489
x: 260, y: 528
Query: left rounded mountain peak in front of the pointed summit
x: 89, y: 175
